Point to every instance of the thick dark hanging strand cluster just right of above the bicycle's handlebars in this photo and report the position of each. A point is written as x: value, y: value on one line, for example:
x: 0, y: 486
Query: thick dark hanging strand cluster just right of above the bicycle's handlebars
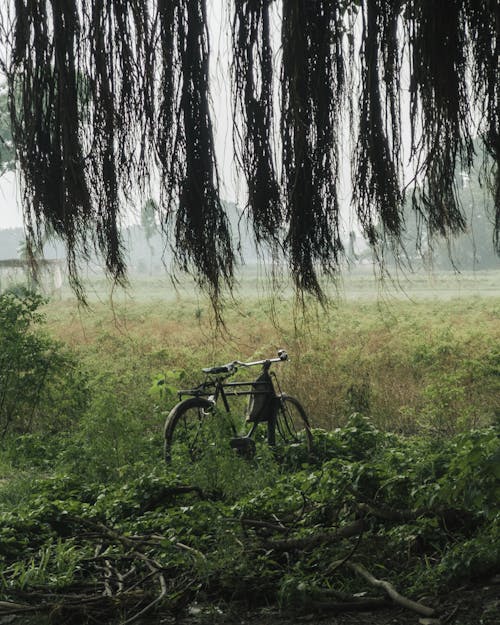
x: 312, y: 85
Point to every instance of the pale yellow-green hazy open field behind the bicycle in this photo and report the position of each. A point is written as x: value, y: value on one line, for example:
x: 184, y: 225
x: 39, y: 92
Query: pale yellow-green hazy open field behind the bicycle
x: 418, y: 354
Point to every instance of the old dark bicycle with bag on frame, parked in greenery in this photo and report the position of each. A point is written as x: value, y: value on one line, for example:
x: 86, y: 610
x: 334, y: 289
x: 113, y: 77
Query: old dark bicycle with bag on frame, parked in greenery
x: 191, y: 425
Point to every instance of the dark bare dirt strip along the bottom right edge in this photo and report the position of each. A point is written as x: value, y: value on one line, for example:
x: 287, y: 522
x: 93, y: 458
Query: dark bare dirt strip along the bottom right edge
x: 477, y: 604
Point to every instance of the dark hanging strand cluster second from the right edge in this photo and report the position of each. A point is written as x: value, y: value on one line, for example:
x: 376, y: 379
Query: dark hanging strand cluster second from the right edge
x: 438, y: 40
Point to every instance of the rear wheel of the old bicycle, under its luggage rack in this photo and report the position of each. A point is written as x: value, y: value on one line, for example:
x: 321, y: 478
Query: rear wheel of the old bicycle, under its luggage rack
x: 192, y: 427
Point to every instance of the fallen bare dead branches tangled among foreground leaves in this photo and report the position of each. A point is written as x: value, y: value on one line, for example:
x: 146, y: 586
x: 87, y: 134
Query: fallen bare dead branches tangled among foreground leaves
x: 127, y: 577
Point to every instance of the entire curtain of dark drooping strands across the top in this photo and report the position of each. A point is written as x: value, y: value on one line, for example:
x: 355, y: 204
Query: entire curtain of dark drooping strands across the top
x: 105, y: 92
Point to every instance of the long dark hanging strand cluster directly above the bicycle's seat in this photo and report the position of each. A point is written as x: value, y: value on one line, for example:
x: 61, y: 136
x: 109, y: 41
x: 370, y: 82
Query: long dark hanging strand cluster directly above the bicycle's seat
x: 186, y: 149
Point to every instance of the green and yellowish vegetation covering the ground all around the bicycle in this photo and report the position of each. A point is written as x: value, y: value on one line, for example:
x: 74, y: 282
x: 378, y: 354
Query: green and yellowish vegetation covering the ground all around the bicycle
x: 396, y: 508
